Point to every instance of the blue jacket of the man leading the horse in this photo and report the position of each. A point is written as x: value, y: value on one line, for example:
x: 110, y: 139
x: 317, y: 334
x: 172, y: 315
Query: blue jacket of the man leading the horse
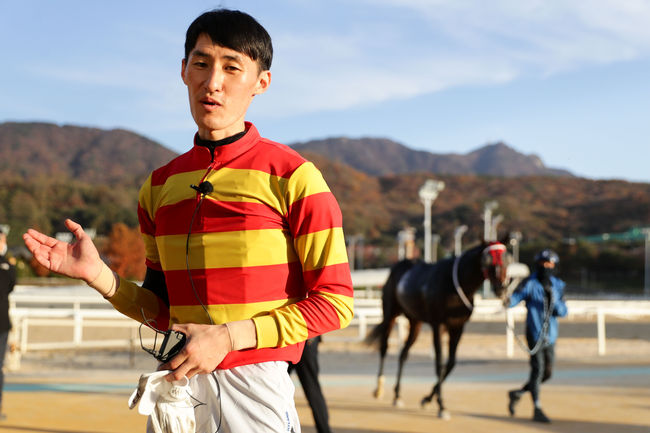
x: 532, y: 291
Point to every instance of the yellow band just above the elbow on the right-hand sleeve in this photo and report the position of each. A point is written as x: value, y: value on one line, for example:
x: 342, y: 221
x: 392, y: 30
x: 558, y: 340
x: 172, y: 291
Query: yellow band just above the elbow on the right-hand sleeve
x: 322, y: 248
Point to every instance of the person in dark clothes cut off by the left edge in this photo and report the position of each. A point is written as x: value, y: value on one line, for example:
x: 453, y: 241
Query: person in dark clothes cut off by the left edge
x: 7, y: 282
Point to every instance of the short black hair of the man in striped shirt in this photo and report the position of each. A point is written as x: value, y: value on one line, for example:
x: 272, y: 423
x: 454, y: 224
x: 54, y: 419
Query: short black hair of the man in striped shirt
x: 235, y: 30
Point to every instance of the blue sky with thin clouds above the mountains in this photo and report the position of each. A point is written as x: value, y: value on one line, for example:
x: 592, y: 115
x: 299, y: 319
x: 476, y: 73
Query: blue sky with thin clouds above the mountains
x: 566, y: 80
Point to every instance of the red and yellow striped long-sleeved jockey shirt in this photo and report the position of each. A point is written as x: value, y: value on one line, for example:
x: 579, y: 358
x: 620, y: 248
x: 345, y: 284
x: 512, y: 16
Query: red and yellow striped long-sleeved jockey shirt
x: 266, y: 244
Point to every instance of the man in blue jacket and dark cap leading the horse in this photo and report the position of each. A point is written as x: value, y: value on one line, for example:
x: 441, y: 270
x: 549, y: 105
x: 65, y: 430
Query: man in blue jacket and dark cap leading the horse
x: 544, y: 296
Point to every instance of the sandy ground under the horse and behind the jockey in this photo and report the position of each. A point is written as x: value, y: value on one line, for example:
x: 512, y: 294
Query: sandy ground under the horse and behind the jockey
x: 87, y: 391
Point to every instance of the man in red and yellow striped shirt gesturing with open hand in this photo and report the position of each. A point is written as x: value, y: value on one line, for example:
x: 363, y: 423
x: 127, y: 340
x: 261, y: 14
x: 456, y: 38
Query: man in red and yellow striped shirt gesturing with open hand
x: 249, y: 262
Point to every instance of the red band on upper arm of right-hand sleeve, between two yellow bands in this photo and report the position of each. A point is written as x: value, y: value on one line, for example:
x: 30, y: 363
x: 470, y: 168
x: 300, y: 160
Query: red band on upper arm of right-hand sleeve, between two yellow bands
x: 303, y: 219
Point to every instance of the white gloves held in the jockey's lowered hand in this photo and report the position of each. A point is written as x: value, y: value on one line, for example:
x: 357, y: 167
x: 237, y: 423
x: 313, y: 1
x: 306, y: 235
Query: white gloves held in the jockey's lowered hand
x: 168, y: 404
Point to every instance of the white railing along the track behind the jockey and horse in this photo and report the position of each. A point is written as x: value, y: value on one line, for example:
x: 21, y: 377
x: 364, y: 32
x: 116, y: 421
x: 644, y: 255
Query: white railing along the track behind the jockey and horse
x: 81, y: 307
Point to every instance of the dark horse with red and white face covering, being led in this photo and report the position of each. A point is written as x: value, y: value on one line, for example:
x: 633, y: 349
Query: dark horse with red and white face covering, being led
x: 440, y: 294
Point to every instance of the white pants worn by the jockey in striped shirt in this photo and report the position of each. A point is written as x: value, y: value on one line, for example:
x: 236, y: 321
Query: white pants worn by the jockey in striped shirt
x: 255, y: 398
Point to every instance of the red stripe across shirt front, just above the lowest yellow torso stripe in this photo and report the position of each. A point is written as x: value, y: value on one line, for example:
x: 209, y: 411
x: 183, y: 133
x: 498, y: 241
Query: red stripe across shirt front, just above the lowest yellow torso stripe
x: 236, y: 285
